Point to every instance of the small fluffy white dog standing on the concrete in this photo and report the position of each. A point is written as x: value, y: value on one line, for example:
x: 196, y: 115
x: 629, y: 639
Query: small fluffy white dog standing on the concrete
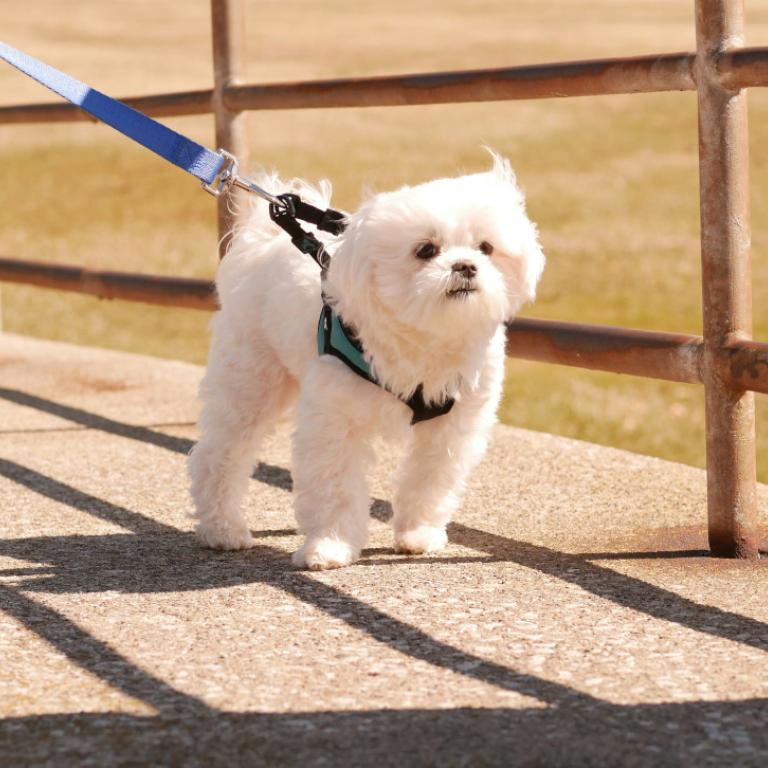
x: 425, y: 278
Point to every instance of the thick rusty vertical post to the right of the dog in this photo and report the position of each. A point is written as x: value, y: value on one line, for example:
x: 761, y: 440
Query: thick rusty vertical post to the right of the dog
x: 726, y: 283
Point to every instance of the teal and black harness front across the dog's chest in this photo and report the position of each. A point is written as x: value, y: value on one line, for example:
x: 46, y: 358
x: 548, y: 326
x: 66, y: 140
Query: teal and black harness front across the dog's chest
x: 335, y: 338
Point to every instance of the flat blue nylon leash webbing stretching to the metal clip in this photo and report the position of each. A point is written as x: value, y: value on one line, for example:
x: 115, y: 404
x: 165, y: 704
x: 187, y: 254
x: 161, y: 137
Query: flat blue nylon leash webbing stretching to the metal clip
x: 188, y: 155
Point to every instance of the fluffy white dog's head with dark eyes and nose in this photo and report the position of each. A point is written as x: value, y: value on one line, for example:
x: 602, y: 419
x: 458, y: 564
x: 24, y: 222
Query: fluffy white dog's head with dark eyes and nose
x: 440, y: 256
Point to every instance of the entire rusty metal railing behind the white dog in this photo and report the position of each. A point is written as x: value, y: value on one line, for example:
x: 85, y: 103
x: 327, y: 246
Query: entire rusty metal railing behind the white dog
x: 725, y: 360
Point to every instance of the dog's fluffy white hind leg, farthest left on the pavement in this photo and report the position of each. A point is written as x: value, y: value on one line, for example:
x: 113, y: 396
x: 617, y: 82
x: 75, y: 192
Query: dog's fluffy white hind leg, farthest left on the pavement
x: 244, y: 392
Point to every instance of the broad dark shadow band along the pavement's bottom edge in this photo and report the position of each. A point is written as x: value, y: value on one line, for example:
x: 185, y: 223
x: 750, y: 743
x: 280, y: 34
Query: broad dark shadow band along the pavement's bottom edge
x: 691, y: 733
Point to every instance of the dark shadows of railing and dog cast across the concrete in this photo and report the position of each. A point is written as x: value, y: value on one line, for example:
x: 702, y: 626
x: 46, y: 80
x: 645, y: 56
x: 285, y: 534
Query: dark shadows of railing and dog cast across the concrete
x: 573, y: 727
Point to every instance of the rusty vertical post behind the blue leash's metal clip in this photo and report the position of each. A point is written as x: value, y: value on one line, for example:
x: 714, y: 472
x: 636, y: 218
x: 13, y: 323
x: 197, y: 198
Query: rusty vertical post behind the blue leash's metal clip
x: 228, y: 27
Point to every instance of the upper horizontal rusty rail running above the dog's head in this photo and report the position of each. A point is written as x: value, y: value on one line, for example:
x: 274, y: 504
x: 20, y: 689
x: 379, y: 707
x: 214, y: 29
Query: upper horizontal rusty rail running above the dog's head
x: 597, y: 77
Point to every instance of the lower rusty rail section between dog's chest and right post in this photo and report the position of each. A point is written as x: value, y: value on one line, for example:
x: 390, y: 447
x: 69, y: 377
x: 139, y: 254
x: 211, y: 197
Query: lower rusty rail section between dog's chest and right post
x: 668, y: 356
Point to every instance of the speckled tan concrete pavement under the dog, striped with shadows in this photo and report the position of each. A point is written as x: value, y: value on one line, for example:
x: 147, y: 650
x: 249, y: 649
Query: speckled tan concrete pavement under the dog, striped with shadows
x: 574, y: 618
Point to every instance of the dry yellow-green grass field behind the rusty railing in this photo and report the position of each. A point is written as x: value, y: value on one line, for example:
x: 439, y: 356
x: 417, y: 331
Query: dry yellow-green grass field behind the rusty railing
x: 612, y: 183
